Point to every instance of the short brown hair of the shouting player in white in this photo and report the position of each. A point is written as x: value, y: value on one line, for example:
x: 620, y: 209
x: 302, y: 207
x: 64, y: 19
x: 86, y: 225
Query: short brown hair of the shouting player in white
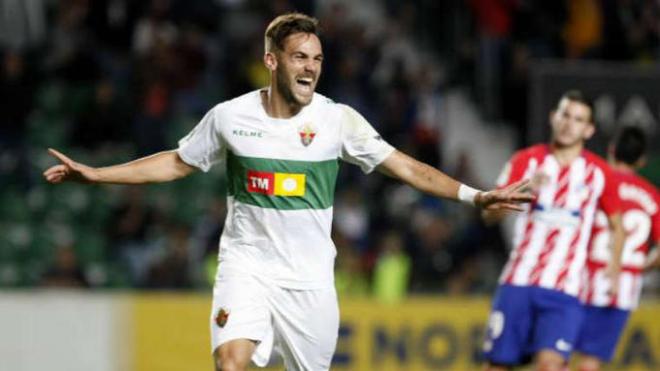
x: 288, y: 24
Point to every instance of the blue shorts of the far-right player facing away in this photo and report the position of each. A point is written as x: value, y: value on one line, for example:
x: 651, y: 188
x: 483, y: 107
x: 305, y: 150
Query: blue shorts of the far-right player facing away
x: 600, y: 332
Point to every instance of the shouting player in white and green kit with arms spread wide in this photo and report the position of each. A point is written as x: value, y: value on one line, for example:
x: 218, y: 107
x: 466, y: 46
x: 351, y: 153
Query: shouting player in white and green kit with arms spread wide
x: 281, y: 145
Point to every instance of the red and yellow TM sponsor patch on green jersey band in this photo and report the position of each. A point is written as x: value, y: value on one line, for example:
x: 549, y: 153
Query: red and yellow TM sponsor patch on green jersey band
x: 276, y: 184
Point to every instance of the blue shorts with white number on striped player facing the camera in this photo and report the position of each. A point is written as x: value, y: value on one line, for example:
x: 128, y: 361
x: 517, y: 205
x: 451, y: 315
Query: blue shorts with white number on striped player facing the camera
x: 527, y: 319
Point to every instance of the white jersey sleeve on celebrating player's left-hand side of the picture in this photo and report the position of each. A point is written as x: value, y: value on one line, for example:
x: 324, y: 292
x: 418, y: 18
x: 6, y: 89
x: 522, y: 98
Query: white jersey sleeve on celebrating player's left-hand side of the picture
x: 203, y: 146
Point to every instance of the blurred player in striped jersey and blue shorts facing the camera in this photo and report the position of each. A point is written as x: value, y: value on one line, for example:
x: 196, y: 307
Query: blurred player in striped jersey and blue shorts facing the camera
x: 536, y: 313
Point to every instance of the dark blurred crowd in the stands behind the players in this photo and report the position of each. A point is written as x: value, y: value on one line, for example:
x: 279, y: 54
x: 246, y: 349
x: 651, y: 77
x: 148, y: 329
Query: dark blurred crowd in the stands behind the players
x: 110, y: 80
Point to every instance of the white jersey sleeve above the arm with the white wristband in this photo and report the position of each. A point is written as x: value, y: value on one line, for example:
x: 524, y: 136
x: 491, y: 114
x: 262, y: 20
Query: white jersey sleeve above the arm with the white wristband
x: 361, y: 144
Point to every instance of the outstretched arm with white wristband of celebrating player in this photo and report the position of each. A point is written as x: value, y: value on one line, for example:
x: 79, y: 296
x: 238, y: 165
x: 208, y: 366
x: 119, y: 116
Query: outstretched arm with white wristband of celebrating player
x: 434, y: 182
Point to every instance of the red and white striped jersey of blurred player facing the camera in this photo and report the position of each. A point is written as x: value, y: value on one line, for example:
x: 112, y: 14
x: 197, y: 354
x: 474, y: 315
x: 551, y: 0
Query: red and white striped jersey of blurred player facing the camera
x: 551, y: 236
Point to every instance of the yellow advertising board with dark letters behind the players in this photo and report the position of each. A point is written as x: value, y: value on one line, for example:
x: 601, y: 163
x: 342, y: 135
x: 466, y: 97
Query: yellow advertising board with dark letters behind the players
x: 171, y: 333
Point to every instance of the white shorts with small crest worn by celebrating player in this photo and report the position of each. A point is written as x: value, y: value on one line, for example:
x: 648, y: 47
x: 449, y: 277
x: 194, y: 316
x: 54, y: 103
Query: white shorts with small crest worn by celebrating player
x: 302, y: 325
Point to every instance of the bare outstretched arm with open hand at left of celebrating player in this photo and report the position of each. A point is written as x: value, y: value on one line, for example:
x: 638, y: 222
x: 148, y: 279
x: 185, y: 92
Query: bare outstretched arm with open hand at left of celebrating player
x: 160, y: 167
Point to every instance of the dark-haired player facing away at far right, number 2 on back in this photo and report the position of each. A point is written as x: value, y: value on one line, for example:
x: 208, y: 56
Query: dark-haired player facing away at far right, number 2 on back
x: 606, y: 314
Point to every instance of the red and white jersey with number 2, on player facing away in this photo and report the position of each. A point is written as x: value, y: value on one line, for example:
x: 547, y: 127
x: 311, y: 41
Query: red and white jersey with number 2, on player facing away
x: 640, y: 213
